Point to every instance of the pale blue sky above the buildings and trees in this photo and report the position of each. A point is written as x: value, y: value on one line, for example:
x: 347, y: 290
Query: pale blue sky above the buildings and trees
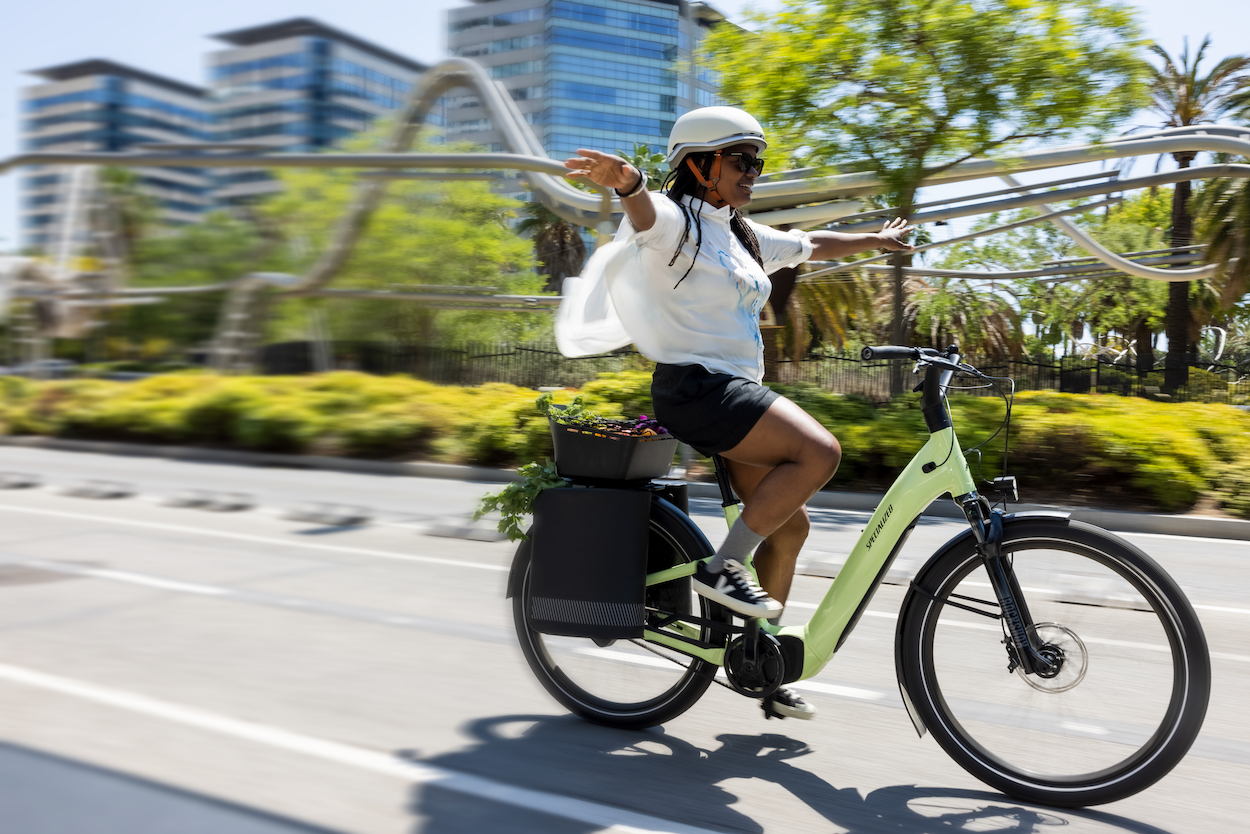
x: 173, y: 38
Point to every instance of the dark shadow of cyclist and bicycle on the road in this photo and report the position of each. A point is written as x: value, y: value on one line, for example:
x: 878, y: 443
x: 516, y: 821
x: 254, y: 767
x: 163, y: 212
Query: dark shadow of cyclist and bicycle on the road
x: 656, y: 773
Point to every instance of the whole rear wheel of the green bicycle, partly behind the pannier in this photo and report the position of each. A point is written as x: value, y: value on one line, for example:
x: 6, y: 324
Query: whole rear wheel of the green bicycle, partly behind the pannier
x: 629, y: 683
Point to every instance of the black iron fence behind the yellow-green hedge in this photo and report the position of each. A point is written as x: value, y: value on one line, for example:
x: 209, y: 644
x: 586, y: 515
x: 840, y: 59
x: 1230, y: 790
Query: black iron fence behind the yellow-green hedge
x: 539, y: 366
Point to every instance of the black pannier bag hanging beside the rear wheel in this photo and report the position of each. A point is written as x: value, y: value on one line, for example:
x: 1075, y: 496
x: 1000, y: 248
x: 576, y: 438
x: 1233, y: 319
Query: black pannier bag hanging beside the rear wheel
x: 588, y: 570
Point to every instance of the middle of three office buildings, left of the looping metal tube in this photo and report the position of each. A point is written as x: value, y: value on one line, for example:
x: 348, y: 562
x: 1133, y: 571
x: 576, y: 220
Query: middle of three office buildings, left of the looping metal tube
x: 299, y: 86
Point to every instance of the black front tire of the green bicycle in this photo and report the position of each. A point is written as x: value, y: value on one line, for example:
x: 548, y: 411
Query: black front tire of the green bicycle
x: 1191, y: 668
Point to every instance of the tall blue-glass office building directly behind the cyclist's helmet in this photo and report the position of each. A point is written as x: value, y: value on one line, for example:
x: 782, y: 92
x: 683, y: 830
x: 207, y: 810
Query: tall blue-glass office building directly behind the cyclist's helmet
x: 601, y: 74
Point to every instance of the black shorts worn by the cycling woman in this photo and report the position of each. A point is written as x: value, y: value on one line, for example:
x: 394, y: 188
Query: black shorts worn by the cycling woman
x: 711, y: 412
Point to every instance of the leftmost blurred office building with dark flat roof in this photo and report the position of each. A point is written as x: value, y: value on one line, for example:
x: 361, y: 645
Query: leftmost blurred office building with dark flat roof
x: 99, y: 106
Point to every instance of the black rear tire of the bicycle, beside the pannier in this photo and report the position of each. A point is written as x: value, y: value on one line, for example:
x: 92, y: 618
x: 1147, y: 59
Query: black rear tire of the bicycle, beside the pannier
x: 664, y: 708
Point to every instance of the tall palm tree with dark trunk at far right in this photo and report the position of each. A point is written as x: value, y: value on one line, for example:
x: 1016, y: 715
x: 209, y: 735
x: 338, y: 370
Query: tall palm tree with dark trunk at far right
x: 1183, y: 98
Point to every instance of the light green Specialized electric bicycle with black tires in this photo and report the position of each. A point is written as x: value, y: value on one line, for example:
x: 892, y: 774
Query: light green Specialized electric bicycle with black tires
x: 1049, y: 658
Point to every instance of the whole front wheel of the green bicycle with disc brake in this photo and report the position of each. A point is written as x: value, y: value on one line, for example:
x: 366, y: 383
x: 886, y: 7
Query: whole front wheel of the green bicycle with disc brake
x: 1134, y: 678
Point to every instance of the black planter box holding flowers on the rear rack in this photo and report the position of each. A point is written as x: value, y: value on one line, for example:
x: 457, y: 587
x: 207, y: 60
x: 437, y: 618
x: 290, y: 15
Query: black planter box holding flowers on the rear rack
x: 606, y: 456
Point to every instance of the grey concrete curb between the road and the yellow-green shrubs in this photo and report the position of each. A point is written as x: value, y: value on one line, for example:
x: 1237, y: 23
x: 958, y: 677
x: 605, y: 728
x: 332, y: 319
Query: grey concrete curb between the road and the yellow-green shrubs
x: 1118, y: 521
